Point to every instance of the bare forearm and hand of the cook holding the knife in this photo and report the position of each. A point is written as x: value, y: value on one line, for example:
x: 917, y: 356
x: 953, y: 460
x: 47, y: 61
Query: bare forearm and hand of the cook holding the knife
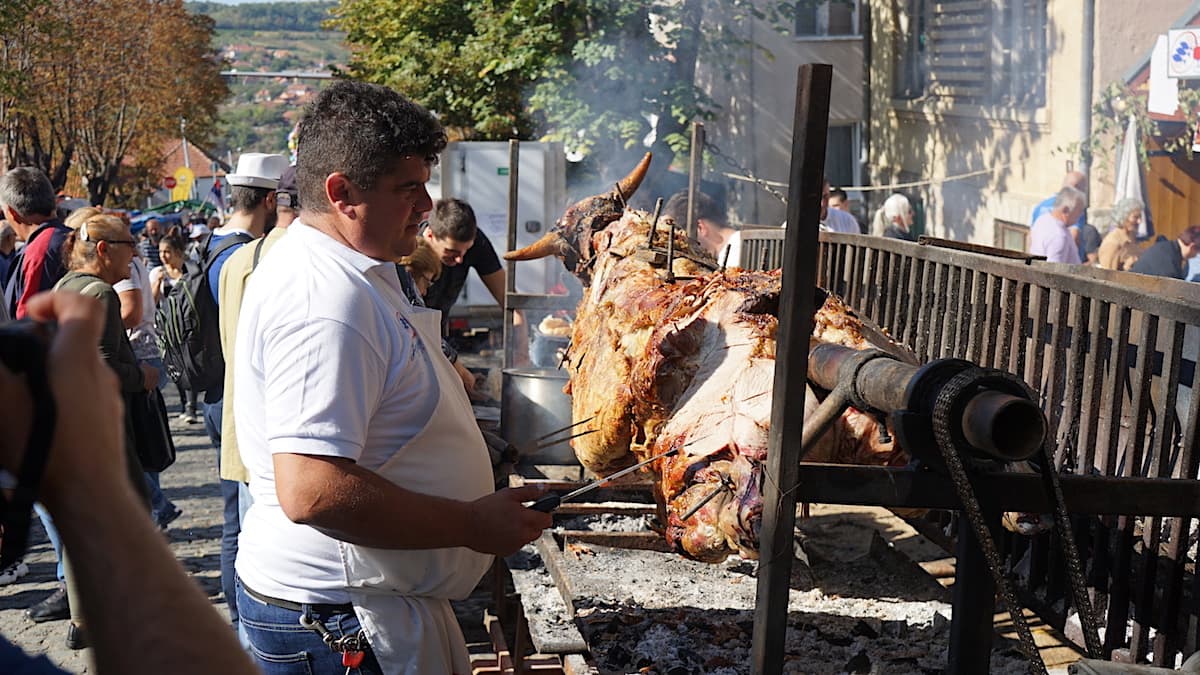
x: 356, y: 505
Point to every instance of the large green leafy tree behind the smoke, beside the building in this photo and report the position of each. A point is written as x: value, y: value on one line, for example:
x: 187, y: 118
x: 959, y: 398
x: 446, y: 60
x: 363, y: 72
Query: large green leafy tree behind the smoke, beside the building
x: 599, y: 75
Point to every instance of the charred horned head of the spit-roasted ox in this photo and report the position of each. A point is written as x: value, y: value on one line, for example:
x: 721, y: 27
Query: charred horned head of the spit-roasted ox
x: 571, y: 240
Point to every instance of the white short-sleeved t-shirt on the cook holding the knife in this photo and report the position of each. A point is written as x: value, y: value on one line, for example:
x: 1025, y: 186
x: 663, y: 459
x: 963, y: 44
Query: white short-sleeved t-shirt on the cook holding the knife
x: 325, y: 366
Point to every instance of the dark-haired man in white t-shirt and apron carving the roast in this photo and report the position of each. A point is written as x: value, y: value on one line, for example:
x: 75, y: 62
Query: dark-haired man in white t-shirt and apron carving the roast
x: 373, y: 488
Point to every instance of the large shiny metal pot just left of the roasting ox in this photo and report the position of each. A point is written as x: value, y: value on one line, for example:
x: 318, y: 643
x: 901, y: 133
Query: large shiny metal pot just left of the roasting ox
x: 532, y: 405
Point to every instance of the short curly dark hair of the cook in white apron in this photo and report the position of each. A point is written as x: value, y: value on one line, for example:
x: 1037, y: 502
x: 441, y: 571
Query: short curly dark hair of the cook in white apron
x: 363, y: 132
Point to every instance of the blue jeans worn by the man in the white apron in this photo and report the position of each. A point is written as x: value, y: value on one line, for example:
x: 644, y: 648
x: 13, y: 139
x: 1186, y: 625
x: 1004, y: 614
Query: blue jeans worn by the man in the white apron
x: 280, y: 646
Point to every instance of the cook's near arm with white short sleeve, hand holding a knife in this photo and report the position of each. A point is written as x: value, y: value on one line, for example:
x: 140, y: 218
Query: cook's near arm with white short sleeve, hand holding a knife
x: 316, y: 432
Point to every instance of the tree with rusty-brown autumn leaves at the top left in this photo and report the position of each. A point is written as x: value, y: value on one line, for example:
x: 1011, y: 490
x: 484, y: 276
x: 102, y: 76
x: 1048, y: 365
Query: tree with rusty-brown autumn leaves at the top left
x: 109, y: 83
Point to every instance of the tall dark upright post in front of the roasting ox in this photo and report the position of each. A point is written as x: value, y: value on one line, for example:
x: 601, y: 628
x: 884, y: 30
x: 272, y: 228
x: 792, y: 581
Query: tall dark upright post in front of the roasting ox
x: 777, y: 537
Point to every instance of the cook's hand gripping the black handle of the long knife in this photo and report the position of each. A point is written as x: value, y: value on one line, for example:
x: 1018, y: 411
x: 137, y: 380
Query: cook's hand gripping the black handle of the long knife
x: 503, y: 524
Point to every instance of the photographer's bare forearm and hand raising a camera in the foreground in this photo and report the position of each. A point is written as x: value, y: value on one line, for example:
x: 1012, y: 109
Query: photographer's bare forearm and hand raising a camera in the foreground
x: 131, y: 577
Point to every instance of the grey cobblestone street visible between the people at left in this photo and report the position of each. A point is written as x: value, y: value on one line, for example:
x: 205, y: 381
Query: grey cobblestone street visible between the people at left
x: 195, y: 539
